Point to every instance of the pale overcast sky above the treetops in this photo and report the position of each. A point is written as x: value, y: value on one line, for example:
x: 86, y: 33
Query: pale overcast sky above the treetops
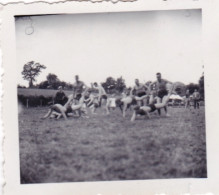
x: 131, y: 45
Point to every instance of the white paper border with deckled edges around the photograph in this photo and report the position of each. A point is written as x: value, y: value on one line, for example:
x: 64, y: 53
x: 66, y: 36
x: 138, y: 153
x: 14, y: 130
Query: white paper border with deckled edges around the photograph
x: 210, y: 34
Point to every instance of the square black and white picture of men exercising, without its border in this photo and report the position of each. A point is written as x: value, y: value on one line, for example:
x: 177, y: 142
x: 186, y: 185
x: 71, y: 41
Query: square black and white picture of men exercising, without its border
x: 110, y: 96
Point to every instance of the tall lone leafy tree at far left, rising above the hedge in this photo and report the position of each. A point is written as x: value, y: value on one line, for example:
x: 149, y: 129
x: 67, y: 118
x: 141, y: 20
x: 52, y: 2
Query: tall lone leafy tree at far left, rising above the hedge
x: 31, y: 70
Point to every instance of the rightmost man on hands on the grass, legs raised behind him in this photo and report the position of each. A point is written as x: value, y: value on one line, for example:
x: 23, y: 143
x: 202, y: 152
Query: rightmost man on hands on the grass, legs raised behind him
x: 145, y: 110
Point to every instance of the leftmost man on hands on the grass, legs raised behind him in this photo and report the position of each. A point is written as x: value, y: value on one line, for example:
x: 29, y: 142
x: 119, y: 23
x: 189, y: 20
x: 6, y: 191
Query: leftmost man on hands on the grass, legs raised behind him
x: 57, y: 110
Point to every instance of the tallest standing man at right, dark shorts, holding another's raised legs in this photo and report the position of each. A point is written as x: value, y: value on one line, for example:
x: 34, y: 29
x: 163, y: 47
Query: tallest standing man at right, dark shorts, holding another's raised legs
x: 160, y: 85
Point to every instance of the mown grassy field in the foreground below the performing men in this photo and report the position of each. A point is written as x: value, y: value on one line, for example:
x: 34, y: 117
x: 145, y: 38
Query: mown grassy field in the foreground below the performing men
x: 103, y: 148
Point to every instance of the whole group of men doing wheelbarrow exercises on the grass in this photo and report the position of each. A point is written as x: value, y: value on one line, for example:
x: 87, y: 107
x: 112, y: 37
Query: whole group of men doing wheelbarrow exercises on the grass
x: 145, y: 98
